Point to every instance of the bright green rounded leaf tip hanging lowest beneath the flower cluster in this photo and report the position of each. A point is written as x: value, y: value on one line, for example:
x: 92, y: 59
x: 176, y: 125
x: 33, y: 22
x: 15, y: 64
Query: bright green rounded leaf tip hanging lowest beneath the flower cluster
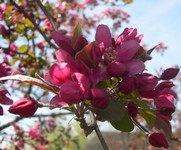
x: 125, y: 124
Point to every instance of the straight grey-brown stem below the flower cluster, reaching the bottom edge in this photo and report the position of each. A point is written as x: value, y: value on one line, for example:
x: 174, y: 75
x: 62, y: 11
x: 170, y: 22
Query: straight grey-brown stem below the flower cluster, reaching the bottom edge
x: 98, y: 132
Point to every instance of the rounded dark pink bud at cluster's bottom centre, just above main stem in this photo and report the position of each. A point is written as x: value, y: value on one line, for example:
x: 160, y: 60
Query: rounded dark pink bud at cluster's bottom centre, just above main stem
x: 100, y: 98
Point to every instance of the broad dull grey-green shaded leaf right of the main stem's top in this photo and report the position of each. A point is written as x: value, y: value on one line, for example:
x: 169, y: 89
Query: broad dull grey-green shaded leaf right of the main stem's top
x: 114, y: 112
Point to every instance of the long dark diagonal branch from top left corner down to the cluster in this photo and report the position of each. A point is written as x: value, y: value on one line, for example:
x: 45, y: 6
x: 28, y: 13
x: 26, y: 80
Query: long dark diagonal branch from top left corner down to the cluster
x: 34, y: 23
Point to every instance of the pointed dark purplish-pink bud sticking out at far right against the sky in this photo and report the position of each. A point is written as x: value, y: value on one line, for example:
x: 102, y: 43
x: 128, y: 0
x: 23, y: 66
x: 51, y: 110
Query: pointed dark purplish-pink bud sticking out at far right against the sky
x: 169, y: 73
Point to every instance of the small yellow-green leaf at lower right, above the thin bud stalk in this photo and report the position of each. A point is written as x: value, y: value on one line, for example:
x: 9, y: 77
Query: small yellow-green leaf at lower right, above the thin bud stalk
x: 149, y: 116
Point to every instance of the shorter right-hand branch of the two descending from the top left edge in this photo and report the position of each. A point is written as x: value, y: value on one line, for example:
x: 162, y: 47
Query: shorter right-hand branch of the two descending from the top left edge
x: 50, y: 18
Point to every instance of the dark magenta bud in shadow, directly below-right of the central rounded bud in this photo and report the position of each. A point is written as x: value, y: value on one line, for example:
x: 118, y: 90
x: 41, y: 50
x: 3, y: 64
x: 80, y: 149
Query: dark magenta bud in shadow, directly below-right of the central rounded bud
x: 127, y: 85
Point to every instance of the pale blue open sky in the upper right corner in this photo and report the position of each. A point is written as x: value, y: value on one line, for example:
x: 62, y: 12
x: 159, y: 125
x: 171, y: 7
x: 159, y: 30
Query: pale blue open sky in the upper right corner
x: 158, y: 20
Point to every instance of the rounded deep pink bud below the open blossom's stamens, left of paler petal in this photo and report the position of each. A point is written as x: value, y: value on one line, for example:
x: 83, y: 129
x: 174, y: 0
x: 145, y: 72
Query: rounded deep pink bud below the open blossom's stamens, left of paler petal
x: 116, y: 69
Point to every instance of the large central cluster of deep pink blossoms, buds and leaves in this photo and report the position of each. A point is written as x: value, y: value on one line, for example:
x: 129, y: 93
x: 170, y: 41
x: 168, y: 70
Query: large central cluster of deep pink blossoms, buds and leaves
x: 109, y: 75
